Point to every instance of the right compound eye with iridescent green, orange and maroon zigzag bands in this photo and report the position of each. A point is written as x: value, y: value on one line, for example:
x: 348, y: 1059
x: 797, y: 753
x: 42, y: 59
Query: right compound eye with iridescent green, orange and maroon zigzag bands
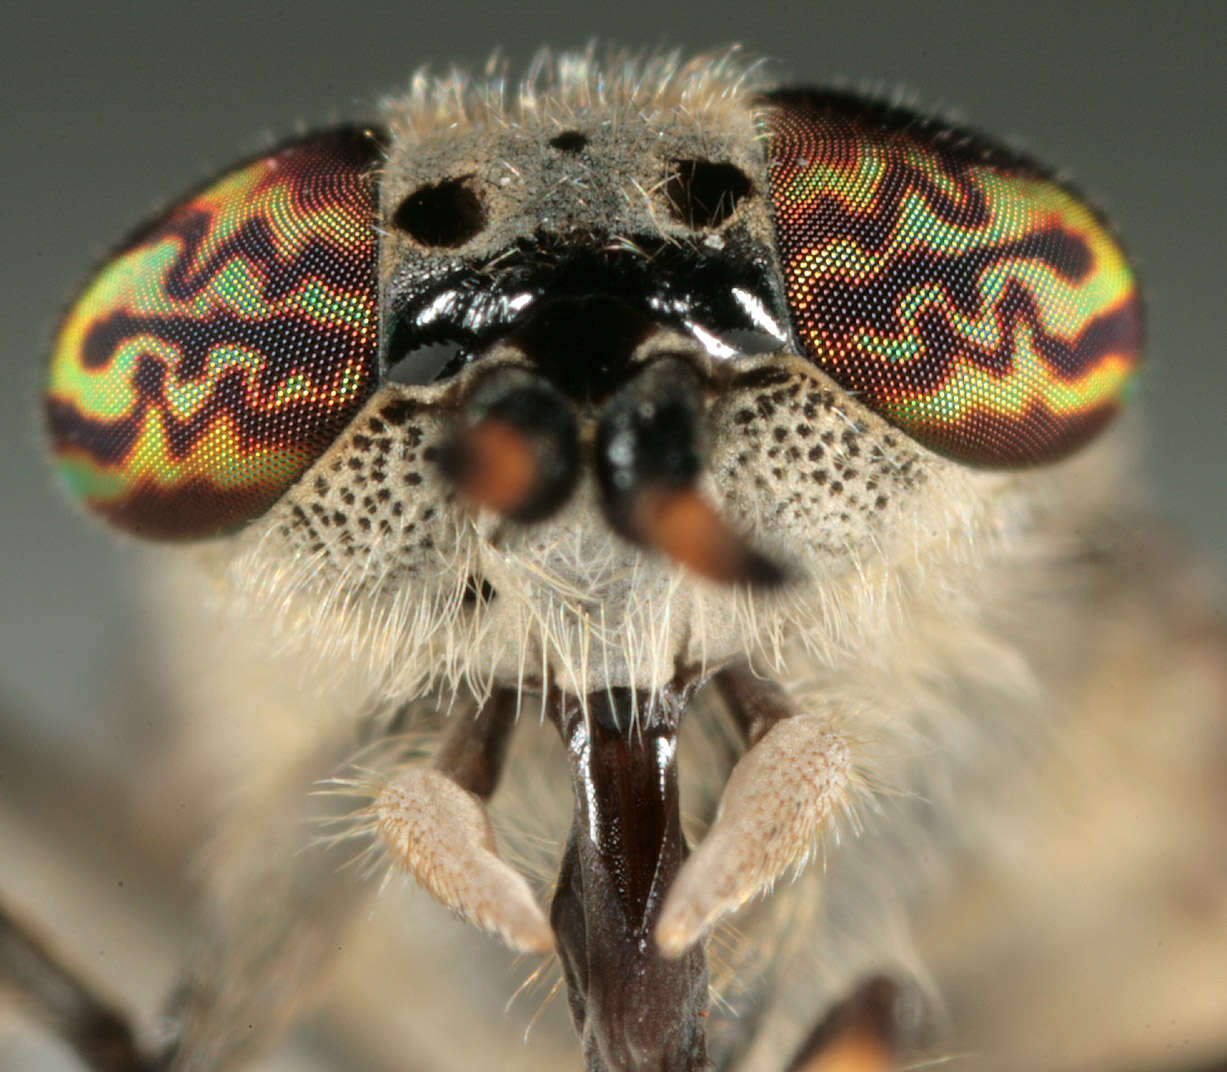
x: 954, y: 286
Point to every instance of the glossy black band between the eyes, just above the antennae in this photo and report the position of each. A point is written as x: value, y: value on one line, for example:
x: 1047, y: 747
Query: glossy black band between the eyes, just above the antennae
x: 577, y: 308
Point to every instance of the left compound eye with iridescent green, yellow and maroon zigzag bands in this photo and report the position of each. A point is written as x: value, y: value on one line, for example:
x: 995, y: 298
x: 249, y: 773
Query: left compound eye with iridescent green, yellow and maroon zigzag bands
x: 224, y: 348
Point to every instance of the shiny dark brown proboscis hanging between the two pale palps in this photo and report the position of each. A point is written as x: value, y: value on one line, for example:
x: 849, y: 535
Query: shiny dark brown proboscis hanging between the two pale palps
x: 634, y: 1009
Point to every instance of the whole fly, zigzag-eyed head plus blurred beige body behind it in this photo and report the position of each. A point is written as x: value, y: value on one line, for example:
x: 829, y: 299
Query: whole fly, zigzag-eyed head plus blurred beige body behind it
x: 682, y: 522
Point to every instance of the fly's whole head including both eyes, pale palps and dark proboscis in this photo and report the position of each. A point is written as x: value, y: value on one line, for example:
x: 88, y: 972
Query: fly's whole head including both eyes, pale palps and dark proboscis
x: 640, y: 387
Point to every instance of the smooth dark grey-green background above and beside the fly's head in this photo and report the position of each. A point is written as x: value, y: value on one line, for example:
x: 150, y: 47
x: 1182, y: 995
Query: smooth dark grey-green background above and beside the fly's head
x: 109, y: 110
